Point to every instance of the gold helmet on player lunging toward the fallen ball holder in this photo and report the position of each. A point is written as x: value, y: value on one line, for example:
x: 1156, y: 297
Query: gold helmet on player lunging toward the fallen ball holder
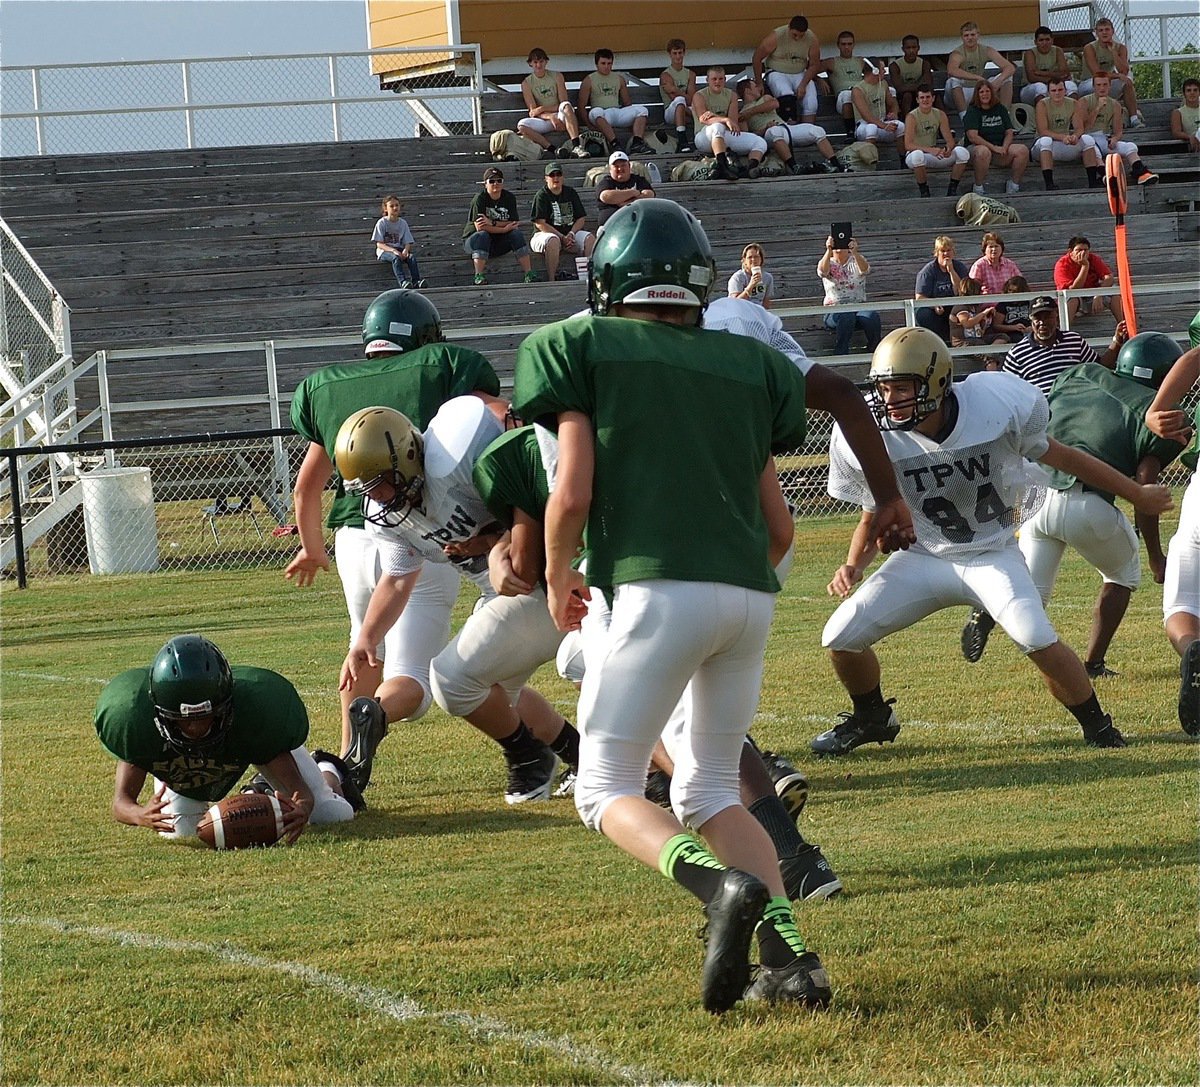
x: 380, y: 446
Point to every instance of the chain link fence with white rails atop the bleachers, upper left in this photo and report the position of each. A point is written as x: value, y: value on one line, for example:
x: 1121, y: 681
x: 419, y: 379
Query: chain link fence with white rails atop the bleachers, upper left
x: 165, y: 105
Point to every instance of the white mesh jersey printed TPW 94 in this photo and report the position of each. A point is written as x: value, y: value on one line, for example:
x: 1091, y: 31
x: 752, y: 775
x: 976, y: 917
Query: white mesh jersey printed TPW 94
x: 965, y: 493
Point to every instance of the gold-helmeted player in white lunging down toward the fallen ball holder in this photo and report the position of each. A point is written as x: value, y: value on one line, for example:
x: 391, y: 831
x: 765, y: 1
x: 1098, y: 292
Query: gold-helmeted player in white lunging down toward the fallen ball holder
x: 422, y: 507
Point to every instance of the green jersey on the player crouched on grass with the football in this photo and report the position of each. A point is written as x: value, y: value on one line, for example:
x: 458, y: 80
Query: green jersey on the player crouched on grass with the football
x: 268, y: 720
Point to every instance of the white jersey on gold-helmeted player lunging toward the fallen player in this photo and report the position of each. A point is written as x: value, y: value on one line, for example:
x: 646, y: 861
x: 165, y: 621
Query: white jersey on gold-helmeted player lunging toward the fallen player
x: 452, y: 509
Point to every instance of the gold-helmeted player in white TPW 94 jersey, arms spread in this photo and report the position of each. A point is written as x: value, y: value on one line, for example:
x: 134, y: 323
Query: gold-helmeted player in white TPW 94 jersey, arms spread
x: 959, y: 455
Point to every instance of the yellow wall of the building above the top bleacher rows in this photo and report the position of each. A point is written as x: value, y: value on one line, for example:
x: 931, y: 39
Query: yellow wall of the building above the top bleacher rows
x: 509, y: 28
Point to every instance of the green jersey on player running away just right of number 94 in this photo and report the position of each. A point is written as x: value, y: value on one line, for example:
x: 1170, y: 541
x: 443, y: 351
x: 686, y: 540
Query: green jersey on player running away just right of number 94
x: 1094, y: 410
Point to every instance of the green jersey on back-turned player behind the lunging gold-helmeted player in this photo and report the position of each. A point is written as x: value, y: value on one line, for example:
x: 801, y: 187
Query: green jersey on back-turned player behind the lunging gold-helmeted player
x: 416, y: 383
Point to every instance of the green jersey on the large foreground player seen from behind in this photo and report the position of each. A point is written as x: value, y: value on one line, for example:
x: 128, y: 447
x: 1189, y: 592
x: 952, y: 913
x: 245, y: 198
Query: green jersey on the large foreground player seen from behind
x: 686, y: 421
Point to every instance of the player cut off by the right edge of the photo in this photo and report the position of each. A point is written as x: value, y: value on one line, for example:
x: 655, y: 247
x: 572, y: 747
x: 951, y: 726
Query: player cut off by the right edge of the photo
x: 1181, y: 588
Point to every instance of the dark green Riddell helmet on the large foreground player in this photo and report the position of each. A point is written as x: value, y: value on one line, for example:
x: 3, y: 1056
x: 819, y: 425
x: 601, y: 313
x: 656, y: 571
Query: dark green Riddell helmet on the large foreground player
x: 651, y: 253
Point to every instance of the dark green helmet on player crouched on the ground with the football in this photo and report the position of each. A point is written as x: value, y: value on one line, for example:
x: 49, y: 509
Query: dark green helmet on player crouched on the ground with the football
x: 190, y: 680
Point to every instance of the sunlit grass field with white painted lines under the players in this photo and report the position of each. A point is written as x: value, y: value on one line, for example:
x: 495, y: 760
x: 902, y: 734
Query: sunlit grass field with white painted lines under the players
x: 1019, y: 909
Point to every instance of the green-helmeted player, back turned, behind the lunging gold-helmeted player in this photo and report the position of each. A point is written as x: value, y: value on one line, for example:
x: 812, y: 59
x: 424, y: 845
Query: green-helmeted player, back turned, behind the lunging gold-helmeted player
x: 411, y: 368
